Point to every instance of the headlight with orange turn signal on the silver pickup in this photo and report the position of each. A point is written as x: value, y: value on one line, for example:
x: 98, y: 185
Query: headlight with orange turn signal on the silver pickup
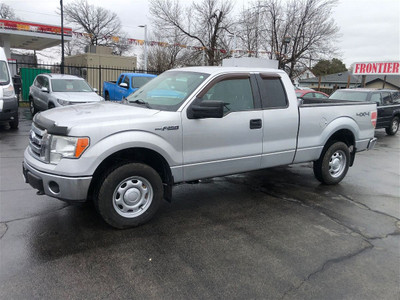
x: 66, y: 147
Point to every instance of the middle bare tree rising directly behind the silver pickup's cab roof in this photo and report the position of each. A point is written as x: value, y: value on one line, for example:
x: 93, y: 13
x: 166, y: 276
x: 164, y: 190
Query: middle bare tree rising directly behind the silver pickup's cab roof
x: 207, y: 26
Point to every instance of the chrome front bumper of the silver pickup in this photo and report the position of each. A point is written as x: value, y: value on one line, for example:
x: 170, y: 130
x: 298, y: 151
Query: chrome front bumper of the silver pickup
x: 61, y: 187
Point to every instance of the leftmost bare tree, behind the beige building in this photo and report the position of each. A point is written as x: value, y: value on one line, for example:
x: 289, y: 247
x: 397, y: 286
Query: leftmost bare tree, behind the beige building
x: 97, y: 25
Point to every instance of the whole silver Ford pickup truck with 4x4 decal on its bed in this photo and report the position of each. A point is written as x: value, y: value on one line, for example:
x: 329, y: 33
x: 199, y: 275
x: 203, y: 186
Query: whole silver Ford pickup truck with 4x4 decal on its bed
x: 184, y: 125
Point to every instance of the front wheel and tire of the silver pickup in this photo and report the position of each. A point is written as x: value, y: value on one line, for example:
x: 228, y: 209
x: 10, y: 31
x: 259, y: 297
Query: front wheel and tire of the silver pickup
x: 129, y: 195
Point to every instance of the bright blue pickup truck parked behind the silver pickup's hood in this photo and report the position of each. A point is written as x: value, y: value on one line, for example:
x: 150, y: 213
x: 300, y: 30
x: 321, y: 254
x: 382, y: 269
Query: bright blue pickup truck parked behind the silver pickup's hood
x: 127, y: 83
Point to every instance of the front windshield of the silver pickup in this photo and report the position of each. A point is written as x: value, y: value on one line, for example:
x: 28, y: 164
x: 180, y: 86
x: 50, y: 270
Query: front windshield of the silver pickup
x: 168, y: 91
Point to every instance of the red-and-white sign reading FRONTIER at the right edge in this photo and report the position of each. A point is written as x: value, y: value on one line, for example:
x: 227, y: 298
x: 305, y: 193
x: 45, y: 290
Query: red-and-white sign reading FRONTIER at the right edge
x: 377, y: 68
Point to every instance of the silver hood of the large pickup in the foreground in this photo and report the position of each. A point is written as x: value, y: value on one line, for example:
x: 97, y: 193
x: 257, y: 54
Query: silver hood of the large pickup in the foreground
x: 92, y: 115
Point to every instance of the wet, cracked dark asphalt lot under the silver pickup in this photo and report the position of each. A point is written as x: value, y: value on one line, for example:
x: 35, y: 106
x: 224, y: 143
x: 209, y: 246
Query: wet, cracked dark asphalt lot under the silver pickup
x: 271, y: 234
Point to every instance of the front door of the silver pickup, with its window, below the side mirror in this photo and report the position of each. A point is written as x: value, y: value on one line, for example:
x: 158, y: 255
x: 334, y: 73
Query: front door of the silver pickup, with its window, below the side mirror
x: 227, y: 145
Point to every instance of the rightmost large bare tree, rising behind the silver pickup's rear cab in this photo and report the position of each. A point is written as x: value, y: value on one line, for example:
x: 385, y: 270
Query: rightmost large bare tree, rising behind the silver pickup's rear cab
x: 298, y: 30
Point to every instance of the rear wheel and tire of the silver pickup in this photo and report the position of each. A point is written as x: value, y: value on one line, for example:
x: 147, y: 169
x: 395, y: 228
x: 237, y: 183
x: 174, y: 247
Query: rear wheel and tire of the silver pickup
x: 333, y: 164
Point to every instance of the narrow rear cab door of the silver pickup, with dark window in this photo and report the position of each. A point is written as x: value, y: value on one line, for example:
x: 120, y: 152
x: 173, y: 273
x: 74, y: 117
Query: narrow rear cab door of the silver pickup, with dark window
x: 280, y: 119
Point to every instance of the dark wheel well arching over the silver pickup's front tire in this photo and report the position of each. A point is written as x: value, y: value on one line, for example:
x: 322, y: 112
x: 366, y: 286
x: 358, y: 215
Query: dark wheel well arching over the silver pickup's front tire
x: 142, y: 155
